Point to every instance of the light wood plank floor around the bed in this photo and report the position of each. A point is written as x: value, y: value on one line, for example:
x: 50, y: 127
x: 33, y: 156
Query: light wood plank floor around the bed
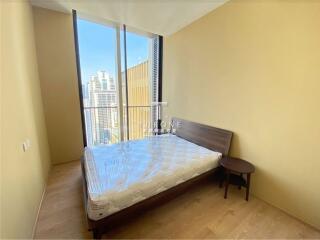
x: 199, y: 213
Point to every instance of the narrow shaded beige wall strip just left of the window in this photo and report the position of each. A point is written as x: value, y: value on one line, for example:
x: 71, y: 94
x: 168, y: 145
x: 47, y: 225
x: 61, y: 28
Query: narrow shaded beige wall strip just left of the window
x: 57, y: 69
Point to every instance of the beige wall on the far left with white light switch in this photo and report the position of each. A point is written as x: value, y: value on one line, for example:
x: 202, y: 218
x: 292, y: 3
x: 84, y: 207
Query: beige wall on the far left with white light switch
x: 23, y: 174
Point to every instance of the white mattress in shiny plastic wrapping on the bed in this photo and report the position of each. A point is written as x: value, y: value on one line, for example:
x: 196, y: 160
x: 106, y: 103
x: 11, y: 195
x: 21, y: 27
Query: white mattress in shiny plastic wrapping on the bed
x: 125, y: 173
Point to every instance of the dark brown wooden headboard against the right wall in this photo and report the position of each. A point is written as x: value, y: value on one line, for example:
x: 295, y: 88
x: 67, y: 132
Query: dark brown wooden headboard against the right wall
x: 215, y: 139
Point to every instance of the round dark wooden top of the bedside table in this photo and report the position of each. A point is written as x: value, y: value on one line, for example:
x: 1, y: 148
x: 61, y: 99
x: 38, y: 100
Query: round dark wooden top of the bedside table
x: 237, y: 165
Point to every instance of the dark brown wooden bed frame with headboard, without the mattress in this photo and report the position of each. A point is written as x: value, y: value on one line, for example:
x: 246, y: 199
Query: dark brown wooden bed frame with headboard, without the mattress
x: 209, y: 137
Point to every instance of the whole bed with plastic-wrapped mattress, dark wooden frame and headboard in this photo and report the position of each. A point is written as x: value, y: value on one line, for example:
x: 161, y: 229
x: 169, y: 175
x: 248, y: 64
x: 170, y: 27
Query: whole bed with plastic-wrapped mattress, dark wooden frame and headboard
x: 124, y: 179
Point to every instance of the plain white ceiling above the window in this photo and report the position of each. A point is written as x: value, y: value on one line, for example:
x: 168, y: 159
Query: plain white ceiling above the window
x: 162, y: 17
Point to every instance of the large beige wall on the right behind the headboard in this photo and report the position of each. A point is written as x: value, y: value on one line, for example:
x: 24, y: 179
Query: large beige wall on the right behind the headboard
x: 253, y: 67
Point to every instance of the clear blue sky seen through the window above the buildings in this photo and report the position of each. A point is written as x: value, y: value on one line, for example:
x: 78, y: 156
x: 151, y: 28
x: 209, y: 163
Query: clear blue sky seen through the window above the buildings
x: 97, y: 48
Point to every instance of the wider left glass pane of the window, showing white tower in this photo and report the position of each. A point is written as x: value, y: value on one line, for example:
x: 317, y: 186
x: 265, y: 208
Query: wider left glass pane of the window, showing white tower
x: 97, y: 49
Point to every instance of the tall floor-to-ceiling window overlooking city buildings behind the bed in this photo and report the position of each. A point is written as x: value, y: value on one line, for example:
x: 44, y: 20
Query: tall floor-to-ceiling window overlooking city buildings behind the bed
x: 119, y: 81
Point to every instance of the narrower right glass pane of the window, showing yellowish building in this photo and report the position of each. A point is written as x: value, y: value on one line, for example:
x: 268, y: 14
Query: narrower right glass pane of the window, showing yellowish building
x: 139, y: 85
